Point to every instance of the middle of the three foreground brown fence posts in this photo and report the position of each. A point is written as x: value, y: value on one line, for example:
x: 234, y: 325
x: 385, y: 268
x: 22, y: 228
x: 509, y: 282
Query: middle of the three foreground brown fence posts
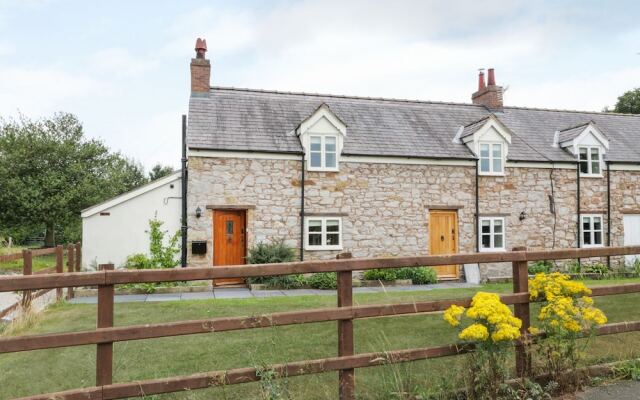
x: 345, y: 332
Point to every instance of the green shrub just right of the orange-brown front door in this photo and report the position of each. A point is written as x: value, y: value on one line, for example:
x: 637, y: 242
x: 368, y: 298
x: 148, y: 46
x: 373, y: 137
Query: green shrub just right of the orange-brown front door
x: 274, y: 252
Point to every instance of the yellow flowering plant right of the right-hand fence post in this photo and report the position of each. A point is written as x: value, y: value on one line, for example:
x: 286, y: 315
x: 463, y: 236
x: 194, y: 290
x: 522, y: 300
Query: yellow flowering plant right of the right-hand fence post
x: 567, y: 315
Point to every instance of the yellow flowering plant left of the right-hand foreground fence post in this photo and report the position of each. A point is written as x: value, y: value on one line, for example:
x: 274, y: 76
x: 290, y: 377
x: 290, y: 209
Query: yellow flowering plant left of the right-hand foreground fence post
x: 491, y: 326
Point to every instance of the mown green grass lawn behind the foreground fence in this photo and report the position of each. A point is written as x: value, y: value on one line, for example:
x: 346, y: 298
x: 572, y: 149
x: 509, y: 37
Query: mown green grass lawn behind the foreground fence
x: 58, y: 369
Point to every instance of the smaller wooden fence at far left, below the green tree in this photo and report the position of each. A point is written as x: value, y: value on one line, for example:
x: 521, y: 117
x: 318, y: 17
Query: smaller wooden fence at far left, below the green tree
x: 74, y: 257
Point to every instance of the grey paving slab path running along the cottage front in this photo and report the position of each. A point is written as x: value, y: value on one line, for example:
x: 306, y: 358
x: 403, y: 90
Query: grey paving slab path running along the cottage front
x: 243, y: 293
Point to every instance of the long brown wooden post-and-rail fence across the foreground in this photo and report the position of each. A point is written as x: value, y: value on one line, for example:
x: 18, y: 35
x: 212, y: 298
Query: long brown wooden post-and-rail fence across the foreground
x: 345, y: 363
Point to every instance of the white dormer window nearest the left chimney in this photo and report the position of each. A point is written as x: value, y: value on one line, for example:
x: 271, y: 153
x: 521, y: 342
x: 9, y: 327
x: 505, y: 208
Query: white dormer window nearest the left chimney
x: 322, y: 137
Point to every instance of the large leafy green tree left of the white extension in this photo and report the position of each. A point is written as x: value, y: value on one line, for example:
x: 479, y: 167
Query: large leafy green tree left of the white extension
x: 49, y: 172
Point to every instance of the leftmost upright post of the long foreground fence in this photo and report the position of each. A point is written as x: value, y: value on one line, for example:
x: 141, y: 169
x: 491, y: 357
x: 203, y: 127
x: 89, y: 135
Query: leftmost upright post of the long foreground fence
x: 104, y: 355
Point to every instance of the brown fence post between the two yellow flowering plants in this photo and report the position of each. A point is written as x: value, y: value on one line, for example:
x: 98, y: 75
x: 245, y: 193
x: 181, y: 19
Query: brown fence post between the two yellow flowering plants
x: 520, y: 285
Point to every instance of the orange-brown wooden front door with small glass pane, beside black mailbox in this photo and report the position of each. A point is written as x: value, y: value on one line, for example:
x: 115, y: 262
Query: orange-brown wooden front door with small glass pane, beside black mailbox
x: 229, y: 241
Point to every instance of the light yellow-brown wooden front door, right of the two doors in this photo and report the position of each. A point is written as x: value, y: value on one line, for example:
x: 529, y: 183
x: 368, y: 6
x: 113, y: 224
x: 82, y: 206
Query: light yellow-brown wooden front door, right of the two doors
x: 443, y: 239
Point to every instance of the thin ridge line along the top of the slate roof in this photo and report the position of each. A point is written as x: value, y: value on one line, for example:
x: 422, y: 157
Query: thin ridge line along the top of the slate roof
x: 414, y: 101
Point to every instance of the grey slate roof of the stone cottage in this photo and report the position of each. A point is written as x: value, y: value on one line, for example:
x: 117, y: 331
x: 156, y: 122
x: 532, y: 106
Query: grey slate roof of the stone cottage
x: 264, y: 121
